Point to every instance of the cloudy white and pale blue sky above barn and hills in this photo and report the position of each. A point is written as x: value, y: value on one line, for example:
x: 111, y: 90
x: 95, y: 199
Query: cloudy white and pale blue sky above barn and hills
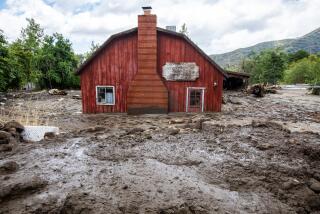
x: 217, y: 26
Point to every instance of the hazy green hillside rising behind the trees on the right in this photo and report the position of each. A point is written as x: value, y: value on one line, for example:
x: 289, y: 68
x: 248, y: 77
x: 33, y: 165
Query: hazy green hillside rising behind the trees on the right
x: 309, y: 42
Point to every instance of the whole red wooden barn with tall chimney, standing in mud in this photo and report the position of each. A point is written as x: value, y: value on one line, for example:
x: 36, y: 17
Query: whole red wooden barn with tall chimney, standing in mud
x: 150, y: 70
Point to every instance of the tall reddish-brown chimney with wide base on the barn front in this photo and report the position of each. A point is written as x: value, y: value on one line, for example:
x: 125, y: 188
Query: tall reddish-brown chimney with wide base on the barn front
x: 147, y: 93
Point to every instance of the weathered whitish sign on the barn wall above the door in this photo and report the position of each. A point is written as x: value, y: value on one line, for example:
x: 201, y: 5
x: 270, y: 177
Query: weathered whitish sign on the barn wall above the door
x: 183, y: 71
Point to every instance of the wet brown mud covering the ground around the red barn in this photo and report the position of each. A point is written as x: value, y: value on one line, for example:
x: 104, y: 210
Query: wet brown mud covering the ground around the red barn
x: 260, y: 155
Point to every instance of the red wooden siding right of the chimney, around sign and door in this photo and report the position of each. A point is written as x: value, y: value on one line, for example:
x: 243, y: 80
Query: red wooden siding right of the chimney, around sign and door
x: 175, y: 49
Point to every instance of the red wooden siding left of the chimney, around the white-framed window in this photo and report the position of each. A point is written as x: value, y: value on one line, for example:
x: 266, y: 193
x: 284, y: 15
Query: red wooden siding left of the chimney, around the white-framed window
x: 116, y: 65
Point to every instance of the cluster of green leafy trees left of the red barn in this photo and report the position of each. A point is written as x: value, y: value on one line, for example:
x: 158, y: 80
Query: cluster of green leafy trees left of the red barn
x: 46, y: 61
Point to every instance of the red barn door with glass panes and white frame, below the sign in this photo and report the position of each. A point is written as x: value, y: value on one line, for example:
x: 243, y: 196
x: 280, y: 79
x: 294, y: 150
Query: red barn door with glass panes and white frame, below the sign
x: 195, y: 99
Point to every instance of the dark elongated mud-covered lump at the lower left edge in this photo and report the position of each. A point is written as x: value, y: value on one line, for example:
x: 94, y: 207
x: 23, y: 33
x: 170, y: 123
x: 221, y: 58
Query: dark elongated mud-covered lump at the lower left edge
x: 26, y: 185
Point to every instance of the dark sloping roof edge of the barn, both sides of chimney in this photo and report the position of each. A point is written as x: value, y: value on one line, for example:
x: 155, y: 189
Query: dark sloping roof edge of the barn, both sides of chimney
x: 134, y: 30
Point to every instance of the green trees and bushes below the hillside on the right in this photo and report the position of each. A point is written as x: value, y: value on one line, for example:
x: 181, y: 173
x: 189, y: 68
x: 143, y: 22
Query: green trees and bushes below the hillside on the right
x: 275, y: 66
